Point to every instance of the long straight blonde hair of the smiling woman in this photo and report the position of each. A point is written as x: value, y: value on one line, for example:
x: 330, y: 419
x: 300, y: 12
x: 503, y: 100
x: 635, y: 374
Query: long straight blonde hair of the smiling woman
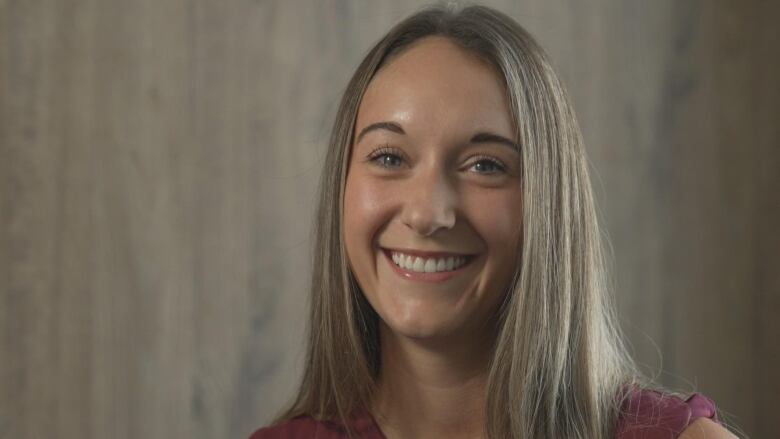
x: 559, y: 364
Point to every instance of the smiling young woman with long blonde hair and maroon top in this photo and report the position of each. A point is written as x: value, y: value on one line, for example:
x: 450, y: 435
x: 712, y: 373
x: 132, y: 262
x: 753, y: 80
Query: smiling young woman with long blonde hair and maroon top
x: 458, y: 288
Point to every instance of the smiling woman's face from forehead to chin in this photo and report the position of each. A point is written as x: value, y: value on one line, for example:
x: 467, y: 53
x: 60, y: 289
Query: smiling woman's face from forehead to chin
x: 433, y: 183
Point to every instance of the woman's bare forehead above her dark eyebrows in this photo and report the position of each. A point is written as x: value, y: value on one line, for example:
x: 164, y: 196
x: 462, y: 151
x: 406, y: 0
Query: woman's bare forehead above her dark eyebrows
x: 435, y: 84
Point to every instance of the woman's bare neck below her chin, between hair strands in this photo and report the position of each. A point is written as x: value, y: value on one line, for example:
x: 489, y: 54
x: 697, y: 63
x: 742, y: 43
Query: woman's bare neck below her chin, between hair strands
x: 431, y: 388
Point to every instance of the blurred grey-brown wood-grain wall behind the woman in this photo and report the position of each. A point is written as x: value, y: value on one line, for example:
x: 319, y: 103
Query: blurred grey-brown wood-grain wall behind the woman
x: 158, y: 171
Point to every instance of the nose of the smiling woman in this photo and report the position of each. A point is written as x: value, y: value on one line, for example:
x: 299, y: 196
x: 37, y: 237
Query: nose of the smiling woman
x: 430, y: 203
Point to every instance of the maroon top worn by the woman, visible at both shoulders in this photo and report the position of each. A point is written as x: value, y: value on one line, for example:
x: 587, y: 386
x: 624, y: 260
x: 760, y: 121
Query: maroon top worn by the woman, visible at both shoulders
x: 645, y: 415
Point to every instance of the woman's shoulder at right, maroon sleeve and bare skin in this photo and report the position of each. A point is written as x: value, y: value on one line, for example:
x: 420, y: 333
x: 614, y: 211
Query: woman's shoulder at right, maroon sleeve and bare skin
x: 652, y: 414
